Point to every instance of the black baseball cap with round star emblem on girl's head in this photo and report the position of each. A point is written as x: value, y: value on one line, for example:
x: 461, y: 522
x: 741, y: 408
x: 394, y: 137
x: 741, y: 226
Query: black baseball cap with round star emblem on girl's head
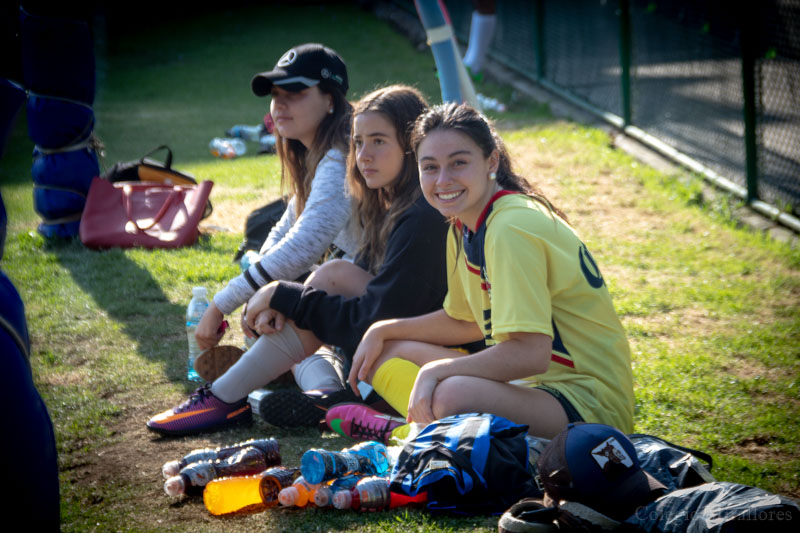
x: 301, y: 67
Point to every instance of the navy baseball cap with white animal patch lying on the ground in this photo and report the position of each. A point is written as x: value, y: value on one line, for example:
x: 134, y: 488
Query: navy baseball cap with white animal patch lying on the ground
x: 597, y: 465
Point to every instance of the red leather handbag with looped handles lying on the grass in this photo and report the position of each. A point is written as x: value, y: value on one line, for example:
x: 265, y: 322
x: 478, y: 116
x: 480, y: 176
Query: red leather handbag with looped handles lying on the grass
x: 150, y: 215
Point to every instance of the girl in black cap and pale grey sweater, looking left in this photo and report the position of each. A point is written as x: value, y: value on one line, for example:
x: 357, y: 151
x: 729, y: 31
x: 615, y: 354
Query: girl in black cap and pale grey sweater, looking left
x: 312, y: 123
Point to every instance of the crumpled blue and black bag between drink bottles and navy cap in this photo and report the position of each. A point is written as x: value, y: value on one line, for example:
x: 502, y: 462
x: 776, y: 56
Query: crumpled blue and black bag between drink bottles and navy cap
x: 468, y: 464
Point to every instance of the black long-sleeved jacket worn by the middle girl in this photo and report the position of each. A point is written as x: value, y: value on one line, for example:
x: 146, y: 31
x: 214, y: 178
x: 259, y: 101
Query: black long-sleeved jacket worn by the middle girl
x: 412, y: 281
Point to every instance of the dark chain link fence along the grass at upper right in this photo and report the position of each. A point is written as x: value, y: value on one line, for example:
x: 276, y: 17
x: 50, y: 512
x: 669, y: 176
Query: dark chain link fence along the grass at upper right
x: 673, y: 68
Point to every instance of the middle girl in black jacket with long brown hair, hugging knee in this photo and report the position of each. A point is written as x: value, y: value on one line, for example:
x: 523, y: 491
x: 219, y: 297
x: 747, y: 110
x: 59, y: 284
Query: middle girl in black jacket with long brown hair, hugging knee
x: 399, y: 272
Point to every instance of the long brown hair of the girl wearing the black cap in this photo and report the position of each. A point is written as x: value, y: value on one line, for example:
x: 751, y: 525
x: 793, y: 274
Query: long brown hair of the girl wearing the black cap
x: 298, y: 163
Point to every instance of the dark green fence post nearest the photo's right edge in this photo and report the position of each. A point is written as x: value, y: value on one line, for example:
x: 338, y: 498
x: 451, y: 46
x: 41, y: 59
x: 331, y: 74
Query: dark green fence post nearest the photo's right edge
x: 748, y: 52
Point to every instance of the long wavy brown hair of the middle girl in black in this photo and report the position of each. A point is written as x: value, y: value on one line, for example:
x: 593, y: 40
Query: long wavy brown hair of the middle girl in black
x: 377, y: 210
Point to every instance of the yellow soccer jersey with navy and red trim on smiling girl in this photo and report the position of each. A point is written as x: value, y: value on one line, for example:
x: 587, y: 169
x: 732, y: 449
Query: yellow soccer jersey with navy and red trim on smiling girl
x: 525, y: 270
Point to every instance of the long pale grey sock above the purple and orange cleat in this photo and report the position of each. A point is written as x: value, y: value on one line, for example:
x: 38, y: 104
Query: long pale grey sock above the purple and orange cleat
x: 268, y: 358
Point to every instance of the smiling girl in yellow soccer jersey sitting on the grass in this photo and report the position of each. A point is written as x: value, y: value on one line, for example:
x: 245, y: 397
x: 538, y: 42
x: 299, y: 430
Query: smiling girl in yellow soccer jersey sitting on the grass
x: 520, y: 279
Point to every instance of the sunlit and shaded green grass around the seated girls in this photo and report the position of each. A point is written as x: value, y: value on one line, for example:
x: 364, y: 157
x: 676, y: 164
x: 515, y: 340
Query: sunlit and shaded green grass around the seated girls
x: 711, y: 310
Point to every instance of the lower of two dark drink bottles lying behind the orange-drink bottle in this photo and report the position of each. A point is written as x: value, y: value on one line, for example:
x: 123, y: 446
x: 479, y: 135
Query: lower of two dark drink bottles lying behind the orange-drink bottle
x: 246, y: 461
